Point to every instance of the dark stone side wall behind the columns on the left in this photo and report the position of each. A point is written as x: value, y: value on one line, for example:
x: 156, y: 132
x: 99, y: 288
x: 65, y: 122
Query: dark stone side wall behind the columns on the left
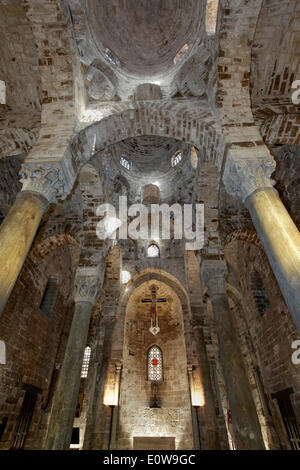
x: 35, y: 342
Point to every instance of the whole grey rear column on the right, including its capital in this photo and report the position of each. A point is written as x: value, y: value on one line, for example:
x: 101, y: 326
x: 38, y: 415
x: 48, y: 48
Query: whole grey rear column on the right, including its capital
x: 246, y: 427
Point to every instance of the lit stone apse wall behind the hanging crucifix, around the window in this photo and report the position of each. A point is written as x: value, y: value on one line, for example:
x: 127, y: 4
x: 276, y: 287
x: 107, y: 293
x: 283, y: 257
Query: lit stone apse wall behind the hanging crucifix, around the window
x: 173, y: 419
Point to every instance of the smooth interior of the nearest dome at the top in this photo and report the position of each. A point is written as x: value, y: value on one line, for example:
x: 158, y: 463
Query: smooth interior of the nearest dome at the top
x: 145, y: 35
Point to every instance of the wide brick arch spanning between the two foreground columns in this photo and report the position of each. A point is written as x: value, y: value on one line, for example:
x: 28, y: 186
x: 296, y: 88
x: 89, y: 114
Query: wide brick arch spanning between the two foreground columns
x: 144, y: 121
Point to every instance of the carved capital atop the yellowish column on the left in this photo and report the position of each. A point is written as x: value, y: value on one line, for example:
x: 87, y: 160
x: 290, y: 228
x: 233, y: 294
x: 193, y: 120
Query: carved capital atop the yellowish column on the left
x: 47, y: 179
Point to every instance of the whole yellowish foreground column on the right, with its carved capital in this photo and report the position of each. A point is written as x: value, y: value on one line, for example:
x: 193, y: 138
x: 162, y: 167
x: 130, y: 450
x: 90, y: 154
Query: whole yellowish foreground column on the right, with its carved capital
x: 249, y: 179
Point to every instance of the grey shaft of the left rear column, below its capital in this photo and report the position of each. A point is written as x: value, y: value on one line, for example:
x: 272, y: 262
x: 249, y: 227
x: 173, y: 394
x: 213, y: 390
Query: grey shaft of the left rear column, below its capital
x: 62, y: 417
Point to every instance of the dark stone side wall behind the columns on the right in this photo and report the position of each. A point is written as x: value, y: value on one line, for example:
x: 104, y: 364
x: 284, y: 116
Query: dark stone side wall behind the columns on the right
x: 271, y: 333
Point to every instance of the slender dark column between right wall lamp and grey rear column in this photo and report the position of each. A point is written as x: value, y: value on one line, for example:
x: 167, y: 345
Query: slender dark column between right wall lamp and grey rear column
x: 211, y: 426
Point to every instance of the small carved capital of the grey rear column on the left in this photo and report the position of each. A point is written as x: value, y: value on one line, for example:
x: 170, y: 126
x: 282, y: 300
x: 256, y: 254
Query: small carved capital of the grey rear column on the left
x: 87, y: 284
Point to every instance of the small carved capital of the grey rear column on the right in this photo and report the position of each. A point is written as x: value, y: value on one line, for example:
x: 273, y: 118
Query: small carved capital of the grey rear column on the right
x: 214, y: 273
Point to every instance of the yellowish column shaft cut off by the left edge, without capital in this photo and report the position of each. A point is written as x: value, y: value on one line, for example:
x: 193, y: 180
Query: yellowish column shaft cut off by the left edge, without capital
x: 16, y: 236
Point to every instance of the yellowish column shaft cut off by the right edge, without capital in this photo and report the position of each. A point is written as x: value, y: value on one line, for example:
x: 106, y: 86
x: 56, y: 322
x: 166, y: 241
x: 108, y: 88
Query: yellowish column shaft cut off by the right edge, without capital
x: 281, y: 241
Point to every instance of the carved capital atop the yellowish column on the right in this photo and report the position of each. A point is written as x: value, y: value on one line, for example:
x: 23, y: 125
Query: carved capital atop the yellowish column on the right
x: 243, y: 176
